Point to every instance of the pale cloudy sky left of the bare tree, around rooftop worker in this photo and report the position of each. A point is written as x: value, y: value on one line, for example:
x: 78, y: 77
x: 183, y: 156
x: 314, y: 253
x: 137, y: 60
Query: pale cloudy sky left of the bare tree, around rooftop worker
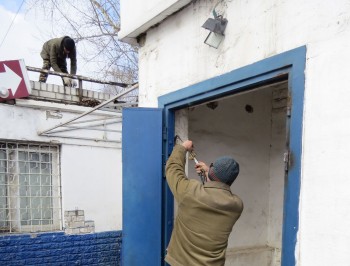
x: 26, y: 36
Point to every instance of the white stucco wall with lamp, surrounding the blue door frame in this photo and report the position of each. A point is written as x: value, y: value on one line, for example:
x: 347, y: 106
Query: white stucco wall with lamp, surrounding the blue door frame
x: 173, y: 56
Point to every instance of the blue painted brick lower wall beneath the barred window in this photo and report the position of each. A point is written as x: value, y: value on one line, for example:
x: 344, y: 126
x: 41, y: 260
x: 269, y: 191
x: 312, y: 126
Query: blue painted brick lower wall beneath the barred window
x: 60, y: 249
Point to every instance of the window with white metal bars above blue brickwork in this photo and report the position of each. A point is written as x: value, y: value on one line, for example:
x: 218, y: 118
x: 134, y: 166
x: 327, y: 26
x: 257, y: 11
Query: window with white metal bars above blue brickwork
x: 30, y: 192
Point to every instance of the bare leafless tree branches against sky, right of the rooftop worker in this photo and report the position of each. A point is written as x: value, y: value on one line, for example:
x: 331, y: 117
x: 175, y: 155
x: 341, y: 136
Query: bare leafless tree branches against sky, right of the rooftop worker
x: 94, y: 25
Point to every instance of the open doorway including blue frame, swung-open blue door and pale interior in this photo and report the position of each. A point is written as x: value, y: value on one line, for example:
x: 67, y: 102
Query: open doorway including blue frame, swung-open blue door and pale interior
x: 254, y: 113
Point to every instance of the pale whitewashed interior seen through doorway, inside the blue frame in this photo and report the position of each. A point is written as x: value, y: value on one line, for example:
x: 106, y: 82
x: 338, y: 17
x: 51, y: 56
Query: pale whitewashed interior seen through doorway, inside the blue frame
x: 252, y: 127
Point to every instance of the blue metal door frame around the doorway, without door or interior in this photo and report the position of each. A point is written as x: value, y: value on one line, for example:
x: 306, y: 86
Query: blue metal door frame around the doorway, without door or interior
x: 290, y: 63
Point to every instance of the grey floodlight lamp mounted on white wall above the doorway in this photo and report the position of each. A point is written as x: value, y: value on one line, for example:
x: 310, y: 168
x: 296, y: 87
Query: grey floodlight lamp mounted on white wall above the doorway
x: 216, y: 26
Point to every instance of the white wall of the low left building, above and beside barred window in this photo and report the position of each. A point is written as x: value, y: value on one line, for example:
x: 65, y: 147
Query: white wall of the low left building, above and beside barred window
x: 91, y: 171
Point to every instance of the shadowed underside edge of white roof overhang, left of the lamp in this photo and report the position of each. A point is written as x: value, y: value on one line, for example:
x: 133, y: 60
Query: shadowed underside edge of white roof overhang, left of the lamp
x: 130, y: 37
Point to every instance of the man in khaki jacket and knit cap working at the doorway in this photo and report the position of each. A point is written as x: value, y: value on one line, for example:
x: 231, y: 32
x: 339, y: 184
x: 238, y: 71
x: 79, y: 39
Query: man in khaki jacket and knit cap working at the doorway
x: 206, y: 213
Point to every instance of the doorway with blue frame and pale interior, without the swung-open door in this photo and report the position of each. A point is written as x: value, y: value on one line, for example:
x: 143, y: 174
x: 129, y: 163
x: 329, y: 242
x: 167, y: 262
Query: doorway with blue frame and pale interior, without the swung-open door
x: 270, y: 195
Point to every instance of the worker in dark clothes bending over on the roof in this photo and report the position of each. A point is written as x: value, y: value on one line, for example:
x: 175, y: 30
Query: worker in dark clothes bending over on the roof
x: 54, y: 54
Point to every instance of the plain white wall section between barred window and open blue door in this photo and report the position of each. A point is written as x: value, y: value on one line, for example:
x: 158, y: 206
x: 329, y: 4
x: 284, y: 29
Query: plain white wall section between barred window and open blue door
x: 92, y: 181
